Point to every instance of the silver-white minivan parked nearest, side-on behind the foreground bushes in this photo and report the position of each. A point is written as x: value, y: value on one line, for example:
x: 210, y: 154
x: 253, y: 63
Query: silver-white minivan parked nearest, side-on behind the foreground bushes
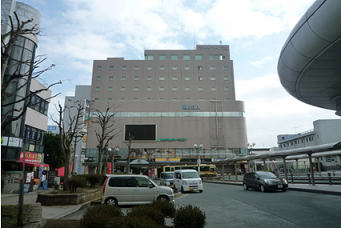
x: 133, y: 190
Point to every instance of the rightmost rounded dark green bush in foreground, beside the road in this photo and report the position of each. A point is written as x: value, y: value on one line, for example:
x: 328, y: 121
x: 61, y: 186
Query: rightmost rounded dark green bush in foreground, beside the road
x: 189, y: 217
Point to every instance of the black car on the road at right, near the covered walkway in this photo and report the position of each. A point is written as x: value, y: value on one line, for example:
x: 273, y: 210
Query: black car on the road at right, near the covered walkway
x: 265, y: 181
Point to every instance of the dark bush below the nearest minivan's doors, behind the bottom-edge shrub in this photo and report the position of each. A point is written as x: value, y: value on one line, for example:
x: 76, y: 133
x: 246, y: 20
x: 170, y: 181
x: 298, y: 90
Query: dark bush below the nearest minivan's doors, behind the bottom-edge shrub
x: 149, y: 212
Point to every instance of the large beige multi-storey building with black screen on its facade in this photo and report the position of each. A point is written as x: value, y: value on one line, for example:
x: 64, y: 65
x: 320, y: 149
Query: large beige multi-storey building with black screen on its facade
x: 170, y: 101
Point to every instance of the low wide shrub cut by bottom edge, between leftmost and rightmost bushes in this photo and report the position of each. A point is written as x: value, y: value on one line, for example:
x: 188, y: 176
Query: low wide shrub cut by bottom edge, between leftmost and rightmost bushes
x: 132, y: 222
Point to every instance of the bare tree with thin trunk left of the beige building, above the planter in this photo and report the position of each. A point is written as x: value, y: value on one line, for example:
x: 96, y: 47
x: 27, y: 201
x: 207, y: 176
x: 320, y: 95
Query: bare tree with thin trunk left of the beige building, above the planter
x: 69, y: 126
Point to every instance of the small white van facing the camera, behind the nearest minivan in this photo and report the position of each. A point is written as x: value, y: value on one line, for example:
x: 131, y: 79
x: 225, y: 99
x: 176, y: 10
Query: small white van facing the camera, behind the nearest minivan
x: 187, y: 180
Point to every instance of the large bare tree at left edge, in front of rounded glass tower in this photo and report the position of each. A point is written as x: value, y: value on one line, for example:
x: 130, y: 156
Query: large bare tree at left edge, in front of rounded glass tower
x: 15, y: 77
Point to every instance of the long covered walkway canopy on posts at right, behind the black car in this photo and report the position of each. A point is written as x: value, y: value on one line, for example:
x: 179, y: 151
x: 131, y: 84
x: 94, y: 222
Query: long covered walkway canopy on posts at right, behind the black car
x: 299, y: 153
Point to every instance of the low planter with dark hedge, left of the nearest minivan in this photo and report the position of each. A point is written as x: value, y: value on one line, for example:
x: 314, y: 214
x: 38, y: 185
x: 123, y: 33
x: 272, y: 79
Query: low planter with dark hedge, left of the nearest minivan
x: 69, y: 199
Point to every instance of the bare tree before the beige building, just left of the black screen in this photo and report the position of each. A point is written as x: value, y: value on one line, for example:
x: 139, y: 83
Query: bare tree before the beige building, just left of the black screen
x: 108, y: 130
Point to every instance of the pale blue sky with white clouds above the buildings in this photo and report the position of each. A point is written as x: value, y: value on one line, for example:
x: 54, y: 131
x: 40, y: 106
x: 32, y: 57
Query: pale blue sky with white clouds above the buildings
x: 76, y: 32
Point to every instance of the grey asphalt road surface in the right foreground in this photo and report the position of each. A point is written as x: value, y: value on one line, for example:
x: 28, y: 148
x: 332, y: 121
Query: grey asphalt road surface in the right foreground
x: 232, y: 206
